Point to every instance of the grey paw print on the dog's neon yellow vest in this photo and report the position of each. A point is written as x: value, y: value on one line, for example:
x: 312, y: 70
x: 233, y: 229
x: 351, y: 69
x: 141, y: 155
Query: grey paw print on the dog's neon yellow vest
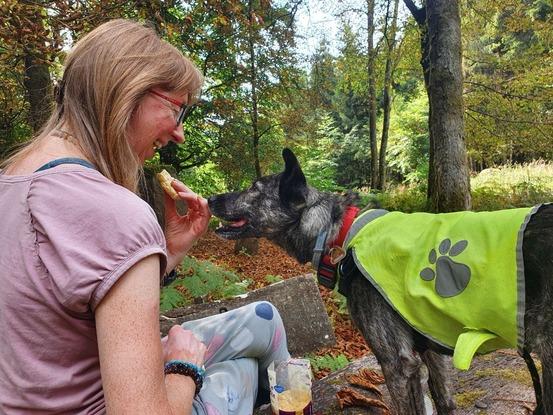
x: 451, y: 277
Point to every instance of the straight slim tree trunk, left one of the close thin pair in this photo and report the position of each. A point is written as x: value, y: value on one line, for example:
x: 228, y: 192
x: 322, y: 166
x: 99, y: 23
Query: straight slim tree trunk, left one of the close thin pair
x: 372, y: 93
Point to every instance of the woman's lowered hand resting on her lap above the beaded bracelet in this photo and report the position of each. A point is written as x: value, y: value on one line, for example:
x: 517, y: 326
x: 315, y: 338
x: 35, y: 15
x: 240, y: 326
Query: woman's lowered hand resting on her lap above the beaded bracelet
x: 182, y: 344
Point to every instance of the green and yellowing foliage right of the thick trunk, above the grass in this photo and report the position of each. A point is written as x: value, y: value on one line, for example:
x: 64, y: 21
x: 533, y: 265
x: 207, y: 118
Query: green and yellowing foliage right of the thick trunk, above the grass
x: 508, y: 57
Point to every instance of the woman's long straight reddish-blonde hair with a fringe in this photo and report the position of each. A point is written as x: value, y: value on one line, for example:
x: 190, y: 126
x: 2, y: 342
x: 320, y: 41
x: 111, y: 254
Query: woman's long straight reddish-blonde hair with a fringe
x: 106, y: 75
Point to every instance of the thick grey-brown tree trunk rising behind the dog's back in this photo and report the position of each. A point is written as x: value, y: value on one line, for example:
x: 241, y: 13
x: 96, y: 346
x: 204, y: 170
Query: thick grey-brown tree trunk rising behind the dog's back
x: 451, y: 185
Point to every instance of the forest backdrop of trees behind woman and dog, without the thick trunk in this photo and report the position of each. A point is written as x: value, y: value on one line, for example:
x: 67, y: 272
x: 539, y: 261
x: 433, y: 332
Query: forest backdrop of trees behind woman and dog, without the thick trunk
x: 354, y: 109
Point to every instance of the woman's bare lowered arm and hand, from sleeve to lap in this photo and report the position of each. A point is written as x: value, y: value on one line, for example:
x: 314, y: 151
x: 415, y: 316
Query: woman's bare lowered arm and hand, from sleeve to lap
x: 131, y: 356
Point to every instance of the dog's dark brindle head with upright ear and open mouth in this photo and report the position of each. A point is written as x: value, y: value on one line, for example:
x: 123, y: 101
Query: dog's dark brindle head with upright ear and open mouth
x: 268, y: 207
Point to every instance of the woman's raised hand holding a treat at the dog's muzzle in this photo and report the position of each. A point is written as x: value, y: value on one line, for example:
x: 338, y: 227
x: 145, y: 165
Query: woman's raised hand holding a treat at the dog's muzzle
x: 181, y: 232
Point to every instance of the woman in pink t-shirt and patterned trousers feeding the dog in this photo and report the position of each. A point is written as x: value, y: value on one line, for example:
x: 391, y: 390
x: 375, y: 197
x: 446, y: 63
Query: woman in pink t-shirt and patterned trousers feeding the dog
x: 81, y: 256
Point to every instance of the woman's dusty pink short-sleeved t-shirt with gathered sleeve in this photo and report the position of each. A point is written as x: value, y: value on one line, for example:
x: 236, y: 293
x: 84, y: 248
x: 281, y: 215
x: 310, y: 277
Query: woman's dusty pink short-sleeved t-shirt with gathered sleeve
x: 67, y: 235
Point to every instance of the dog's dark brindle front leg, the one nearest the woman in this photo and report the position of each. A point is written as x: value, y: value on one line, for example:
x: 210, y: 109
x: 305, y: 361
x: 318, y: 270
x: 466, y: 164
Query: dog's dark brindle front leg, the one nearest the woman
x: 392, y: 343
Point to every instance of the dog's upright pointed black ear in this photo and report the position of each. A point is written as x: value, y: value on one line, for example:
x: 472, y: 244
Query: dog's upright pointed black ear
x: 292, y: 186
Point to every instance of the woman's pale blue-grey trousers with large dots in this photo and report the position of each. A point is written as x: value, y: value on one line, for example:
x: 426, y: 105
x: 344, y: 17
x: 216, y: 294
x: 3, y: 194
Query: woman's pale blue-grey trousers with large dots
x: 241, y: 344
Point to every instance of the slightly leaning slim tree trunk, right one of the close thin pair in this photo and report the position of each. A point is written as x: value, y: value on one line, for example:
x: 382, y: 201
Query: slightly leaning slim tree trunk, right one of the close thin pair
x: 387, y: 93
